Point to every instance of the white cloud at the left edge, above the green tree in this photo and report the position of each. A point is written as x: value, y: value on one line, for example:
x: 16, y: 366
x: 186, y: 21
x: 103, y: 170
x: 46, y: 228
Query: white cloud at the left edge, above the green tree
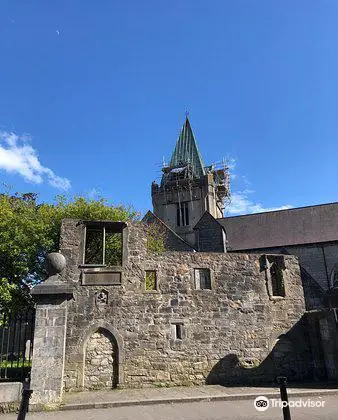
x: 18, y: 156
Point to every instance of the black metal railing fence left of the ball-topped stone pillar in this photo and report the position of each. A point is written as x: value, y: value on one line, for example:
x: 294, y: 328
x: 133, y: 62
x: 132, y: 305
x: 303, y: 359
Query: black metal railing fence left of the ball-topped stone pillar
x: 16, y: 345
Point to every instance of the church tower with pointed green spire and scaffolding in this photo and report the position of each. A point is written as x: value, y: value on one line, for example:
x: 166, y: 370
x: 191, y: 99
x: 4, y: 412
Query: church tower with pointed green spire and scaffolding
x: 188, y: 189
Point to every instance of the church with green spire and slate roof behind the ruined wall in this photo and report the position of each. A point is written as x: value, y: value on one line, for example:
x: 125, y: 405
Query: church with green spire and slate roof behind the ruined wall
x: 191, y: 199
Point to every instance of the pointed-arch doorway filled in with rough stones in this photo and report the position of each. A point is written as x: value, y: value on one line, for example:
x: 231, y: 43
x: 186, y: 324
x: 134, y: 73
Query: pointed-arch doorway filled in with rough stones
x: 101, y: 360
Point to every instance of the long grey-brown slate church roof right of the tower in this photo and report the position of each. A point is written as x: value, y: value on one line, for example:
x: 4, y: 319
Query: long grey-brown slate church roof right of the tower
x: 304, y: 225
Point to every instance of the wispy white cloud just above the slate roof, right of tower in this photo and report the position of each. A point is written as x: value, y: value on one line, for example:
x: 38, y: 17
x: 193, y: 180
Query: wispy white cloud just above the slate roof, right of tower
x: 241, y: 204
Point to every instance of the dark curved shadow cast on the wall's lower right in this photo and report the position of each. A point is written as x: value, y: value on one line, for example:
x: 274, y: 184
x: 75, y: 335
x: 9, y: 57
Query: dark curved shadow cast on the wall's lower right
x: 290, y: 357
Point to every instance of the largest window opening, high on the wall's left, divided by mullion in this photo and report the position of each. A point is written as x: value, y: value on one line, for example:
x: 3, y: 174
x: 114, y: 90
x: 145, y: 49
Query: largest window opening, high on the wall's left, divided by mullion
x: 103, y: 246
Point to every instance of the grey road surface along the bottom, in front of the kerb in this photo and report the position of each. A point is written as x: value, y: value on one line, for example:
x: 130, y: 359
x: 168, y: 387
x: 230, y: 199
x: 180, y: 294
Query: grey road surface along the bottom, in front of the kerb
x: 203, y: 410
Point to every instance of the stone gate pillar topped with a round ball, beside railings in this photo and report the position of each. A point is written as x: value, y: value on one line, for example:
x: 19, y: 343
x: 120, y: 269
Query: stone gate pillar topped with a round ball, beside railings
x: 50, y: 334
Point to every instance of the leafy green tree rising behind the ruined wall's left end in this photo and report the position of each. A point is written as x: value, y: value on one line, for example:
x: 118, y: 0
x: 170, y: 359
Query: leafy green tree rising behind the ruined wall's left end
x: 29, y: 231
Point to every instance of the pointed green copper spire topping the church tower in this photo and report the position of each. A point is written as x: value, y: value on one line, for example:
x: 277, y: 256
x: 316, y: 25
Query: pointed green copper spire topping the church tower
x: 186, y: 152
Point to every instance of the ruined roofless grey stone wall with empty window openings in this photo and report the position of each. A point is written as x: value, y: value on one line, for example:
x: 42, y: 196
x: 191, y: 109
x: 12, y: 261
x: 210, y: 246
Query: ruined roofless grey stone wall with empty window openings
x: 234, y: 332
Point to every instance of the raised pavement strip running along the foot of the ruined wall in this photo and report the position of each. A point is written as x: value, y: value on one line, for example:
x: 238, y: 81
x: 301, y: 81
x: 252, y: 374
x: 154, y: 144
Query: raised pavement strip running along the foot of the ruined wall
x: 207, y: 393
